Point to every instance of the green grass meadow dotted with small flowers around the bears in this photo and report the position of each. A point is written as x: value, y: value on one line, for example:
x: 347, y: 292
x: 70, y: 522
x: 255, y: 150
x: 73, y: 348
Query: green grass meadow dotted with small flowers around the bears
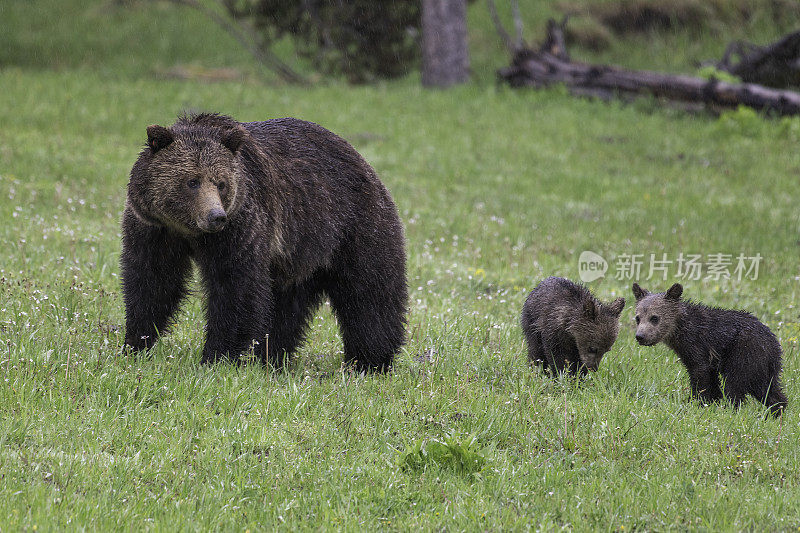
x: 497, y: 189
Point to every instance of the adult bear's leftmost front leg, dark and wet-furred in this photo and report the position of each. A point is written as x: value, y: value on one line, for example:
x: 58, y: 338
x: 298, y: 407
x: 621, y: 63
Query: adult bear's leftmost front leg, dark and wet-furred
x: 155, y: 265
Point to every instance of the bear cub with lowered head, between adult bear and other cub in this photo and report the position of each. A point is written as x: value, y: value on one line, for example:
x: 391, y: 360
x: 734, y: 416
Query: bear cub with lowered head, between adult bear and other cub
x: 567, y: 328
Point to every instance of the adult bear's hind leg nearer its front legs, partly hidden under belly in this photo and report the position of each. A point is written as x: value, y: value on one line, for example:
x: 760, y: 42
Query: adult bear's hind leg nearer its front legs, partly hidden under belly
x: 293, y: 307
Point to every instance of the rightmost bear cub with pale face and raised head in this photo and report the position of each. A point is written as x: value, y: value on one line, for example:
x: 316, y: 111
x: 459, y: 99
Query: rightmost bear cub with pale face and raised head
x: 710, y: 342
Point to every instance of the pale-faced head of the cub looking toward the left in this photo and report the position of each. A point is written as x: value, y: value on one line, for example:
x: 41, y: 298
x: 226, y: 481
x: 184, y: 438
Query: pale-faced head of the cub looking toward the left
x: 656, y: 313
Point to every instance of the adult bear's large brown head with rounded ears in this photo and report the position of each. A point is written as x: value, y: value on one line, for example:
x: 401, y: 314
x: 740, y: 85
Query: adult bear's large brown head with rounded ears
x: 188, y: 176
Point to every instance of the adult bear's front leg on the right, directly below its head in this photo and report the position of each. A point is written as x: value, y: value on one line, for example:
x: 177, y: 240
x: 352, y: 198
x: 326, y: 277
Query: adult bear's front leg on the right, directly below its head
x: 238, y: 307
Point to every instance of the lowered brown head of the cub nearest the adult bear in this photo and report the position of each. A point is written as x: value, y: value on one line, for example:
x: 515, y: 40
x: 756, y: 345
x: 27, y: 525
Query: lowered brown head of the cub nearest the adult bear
x: 596, y: 330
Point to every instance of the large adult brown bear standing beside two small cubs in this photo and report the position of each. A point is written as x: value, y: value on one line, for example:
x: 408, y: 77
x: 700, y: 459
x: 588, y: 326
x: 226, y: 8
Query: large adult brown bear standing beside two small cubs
x: 275, y: 215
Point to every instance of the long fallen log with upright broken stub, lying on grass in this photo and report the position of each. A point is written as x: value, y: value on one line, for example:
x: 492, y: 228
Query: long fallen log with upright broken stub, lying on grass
x: 542, y: 68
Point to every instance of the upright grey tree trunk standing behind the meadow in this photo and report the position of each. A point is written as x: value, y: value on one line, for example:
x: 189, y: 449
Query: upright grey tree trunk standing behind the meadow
x: 445, y: 59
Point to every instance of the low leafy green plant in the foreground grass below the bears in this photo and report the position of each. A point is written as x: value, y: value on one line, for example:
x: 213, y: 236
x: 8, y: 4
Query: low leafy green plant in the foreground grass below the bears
x: 462, y: 456
